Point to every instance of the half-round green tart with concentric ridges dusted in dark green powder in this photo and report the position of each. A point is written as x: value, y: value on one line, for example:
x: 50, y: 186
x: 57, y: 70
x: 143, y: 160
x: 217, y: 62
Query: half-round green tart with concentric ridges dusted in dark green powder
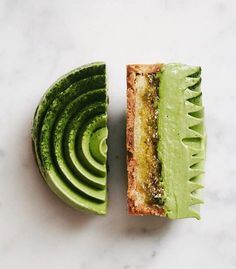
x: 69, y: 138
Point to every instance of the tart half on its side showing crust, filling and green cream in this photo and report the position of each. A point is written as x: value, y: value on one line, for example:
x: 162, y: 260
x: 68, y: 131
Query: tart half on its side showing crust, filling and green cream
x: 165, y: 140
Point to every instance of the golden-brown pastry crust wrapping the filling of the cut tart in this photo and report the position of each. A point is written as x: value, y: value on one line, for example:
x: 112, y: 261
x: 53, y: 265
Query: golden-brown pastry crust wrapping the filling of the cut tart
x: 134, y: 207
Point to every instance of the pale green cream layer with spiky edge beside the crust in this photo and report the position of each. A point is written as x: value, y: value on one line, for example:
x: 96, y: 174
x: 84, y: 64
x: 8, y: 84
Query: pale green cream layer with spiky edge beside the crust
x: 181, y: 147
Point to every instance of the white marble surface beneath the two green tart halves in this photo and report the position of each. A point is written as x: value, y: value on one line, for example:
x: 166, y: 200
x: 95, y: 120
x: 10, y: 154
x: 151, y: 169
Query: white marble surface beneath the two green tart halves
x: 41, y: 40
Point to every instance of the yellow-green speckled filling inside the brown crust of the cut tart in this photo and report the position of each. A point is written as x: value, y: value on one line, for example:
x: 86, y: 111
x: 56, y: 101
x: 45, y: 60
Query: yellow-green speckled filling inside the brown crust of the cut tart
x: 148, y: 166
